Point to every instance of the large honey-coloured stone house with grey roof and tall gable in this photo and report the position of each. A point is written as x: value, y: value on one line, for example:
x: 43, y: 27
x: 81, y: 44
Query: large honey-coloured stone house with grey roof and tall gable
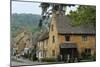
x: 63, y: 39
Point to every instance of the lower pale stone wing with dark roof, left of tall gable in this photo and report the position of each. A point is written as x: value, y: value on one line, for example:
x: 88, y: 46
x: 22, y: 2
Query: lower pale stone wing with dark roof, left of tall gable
x: 42, y: 45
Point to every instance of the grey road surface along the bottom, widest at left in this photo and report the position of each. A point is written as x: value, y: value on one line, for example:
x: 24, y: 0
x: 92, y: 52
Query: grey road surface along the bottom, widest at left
x: 27, y: 62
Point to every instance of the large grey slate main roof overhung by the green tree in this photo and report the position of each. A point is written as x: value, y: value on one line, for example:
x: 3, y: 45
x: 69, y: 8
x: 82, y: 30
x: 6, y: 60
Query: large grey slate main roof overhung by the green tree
x: 64, y: 27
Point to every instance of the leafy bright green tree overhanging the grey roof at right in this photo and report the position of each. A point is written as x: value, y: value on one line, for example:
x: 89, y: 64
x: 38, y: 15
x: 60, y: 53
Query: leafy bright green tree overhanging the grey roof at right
x: 84, y: 15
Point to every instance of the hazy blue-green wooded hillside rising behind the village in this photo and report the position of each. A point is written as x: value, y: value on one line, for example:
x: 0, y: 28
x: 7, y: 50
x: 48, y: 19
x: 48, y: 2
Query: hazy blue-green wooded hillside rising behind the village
x: 28, y: 21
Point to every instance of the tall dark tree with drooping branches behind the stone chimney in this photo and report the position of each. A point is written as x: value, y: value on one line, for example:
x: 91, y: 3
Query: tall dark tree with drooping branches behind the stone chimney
x: 46, y: 12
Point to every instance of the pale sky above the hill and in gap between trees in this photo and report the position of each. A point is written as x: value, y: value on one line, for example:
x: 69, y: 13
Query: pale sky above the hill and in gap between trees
x: 31, y: 7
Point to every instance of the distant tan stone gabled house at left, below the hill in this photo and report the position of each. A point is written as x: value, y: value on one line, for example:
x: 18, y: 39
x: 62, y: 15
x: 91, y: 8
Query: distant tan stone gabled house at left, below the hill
x: 23, y: 42
